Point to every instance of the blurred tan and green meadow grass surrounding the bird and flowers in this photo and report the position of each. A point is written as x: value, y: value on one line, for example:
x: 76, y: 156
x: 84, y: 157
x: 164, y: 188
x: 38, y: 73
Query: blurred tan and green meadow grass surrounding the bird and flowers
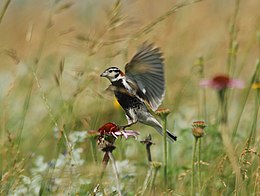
x: 52, y: 98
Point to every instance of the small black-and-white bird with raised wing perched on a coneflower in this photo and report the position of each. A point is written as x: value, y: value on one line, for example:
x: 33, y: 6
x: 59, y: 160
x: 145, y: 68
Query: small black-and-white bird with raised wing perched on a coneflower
x: 143, y: 82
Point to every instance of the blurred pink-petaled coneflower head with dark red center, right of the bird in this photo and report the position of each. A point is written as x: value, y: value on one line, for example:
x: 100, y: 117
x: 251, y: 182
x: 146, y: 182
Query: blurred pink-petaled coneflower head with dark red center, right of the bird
x: 221, y: 82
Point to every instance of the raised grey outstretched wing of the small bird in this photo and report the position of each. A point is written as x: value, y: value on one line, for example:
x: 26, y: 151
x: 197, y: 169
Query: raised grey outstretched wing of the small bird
x: 145, y: 71
